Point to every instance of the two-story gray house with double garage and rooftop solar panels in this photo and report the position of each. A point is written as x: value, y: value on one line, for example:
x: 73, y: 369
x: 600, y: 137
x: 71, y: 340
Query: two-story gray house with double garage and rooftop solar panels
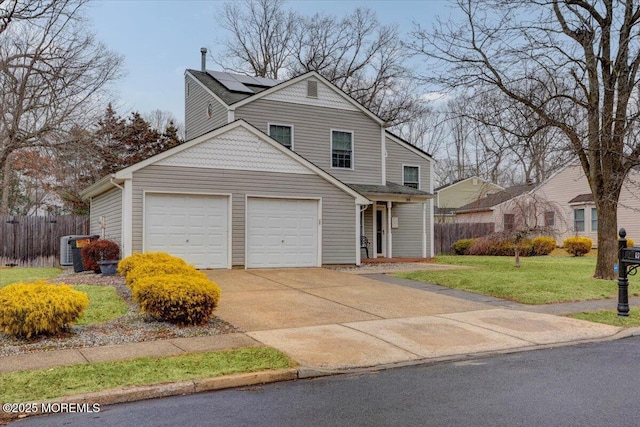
x: 274, y: 174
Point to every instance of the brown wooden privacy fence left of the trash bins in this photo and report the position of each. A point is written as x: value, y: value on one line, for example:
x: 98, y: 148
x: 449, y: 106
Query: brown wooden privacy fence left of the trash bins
x: 34, y: 241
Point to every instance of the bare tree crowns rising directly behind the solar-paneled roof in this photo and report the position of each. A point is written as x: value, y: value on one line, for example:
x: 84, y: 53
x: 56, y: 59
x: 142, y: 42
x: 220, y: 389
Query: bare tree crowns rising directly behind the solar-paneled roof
x: 356, y: 53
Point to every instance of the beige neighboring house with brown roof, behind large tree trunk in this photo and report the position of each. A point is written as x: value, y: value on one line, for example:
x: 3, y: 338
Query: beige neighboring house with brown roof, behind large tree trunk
x: 563, y: 203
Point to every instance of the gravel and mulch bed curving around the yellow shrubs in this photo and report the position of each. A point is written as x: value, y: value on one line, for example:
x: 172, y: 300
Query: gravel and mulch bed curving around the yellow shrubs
x: 134, y: 326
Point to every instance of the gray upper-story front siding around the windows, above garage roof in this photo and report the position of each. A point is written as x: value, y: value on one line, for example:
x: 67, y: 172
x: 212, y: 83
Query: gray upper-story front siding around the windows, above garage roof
x: 312, y: 135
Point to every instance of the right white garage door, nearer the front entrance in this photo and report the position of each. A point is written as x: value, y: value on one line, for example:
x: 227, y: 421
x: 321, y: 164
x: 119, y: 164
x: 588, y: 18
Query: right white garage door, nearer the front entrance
x: 282, y: 233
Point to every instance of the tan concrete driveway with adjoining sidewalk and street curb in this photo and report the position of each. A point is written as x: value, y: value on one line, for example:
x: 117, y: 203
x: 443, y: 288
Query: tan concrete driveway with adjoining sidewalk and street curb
x: 336, y: 322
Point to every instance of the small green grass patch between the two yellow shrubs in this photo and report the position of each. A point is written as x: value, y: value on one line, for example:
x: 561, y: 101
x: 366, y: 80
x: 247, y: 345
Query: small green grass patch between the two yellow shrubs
x: 104, y: 304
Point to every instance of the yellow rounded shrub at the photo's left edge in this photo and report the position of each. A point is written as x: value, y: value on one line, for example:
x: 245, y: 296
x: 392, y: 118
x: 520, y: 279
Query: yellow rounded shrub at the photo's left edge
x: 39, y: 308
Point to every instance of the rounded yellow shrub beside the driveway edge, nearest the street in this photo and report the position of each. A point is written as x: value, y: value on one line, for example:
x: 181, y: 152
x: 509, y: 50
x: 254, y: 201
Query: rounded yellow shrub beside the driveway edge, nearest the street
x: 177, y: 298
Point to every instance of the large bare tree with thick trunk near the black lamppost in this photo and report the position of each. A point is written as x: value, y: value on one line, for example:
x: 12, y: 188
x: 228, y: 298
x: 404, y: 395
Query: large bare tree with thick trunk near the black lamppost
x: 574, y: 64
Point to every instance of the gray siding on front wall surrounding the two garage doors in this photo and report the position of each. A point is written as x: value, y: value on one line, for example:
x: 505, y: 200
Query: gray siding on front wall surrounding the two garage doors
x: 338, y: 208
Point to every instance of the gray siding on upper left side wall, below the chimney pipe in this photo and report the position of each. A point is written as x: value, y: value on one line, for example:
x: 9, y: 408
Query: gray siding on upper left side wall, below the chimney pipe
x: 196, y: 122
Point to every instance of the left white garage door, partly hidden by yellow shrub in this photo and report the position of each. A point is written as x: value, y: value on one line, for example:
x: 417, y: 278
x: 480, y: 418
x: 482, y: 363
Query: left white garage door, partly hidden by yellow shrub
x: 192, y: 227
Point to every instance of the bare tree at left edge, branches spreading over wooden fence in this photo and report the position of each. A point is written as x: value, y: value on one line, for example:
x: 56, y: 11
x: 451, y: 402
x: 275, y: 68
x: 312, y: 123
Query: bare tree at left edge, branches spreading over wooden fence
x: 52, y: 73
